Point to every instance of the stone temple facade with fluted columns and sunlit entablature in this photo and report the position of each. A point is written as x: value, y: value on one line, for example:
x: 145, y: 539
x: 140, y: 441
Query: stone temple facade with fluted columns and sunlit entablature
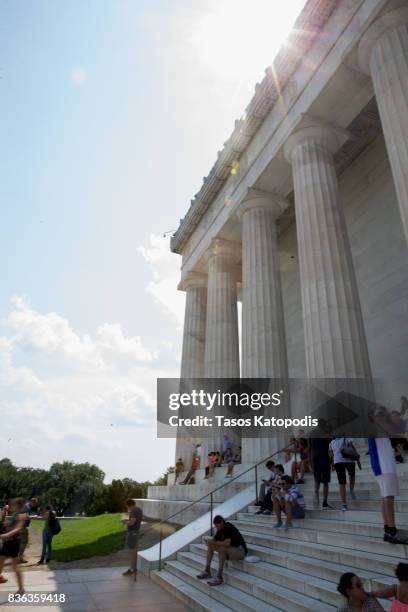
x: 313, y: 224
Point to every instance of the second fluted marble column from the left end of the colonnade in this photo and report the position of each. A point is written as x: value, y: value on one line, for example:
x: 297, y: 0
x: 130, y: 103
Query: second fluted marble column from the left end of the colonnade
x: 222, y: 342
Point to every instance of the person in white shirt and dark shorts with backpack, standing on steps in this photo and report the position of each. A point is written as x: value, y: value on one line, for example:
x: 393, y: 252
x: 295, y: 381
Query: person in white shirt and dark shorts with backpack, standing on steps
x: 343, y: 456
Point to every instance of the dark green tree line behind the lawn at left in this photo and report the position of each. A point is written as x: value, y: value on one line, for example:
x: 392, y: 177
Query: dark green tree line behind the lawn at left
x: 70, y: 488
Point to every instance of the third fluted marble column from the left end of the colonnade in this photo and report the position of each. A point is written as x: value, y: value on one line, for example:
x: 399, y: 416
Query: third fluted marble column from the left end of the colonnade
x: 263, y: 329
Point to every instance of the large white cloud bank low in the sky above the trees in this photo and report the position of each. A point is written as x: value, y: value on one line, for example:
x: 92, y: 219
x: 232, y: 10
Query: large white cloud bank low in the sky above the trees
x: 94, y: 392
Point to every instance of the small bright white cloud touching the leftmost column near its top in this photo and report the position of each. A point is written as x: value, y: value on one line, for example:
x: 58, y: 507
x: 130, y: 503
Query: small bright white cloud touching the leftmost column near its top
x: 165, y: 267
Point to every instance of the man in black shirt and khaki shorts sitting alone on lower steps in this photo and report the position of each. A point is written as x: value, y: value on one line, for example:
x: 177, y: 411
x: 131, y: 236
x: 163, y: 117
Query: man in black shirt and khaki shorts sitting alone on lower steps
x: 228, y: 543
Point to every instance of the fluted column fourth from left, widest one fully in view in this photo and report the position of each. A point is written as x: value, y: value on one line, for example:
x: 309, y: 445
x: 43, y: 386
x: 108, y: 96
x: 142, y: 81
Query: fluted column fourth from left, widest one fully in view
x: 334, y: 331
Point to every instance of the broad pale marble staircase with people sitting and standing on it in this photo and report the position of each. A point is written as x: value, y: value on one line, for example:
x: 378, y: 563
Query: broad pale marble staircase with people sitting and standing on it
x: 298, y: 570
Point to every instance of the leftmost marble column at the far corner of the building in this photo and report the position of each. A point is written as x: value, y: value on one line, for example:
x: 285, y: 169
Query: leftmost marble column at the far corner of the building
x: 192, y: 359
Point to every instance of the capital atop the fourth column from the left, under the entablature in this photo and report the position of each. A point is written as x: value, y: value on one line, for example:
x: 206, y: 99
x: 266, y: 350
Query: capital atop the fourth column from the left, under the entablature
x: 312, y: 129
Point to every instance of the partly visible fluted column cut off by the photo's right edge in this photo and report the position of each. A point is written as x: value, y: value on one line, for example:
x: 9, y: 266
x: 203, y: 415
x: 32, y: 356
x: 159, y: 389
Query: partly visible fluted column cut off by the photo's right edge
x: 383, y: 53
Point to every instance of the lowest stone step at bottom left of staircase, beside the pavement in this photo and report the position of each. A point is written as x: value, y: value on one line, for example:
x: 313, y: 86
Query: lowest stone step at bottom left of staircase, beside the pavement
x: 192, y: 597
